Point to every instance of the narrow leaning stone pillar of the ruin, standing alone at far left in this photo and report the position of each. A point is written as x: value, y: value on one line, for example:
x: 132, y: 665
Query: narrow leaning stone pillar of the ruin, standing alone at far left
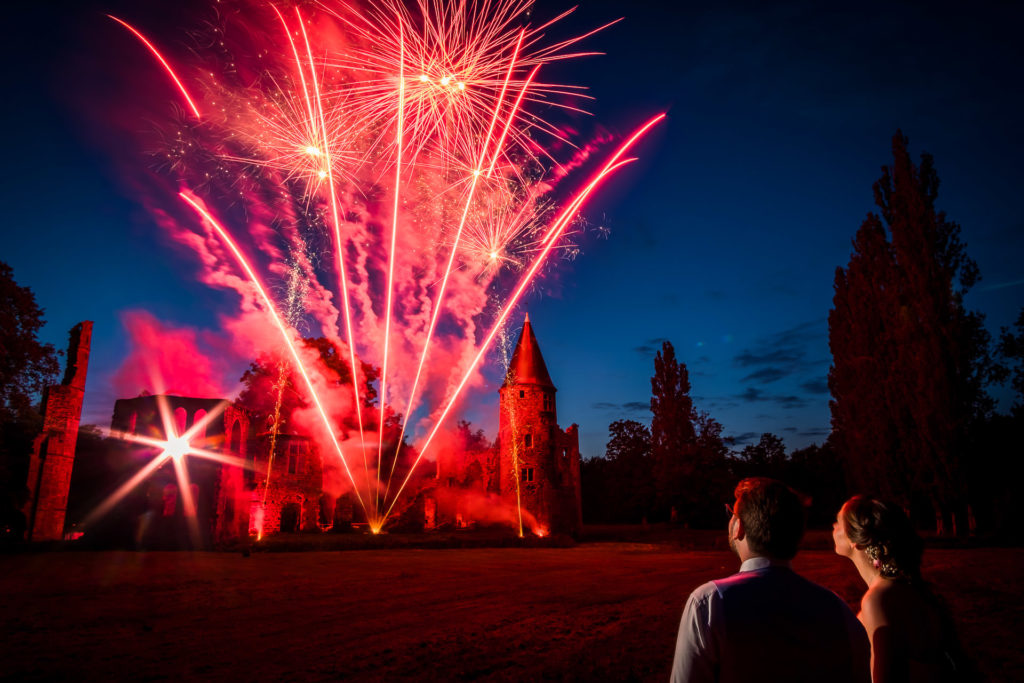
x: 54, y: 450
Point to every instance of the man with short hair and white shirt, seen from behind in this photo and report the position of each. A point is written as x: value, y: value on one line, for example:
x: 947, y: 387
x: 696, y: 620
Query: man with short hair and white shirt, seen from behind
x: 769, y: 623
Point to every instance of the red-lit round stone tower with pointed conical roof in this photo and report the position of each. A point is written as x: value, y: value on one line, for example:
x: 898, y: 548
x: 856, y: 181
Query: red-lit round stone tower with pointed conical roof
x: 539, y: 463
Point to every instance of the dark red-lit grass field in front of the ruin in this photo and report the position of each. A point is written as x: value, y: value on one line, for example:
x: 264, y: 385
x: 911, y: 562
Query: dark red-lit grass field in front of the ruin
x: 596, y: 612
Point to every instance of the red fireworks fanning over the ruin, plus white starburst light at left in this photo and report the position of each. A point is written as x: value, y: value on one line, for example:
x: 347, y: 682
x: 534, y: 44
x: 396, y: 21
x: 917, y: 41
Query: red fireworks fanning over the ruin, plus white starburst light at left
x: 414, y: 139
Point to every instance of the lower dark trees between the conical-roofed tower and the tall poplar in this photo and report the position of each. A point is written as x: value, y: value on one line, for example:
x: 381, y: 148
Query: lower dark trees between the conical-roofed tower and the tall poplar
x: 682, y: 471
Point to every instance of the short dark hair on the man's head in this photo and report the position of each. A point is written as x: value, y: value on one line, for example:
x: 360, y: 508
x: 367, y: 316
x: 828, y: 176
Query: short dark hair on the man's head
x: 774, y: 517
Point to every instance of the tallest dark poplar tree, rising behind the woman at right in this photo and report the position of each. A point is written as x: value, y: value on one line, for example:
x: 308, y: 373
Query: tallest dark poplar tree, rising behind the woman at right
x: 910, y: 363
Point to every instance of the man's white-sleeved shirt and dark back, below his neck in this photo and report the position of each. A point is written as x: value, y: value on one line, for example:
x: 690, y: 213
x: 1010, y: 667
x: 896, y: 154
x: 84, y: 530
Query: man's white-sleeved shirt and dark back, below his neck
x: 770, y: 624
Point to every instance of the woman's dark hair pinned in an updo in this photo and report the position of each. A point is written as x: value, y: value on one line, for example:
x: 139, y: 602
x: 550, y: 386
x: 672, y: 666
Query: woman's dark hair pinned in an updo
x: 886, y: 536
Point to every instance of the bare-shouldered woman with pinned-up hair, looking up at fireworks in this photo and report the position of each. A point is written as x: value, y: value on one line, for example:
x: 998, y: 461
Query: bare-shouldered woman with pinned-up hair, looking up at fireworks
x: 912, y: 633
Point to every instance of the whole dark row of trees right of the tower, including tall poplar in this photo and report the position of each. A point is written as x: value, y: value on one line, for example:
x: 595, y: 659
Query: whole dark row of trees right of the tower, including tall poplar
x: 913, y: 420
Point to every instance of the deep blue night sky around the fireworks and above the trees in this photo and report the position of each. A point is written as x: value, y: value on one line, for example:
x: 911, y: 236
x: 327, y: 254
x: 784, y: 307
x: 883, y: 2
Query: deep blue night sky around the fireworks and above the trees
x: 724, y: 239
